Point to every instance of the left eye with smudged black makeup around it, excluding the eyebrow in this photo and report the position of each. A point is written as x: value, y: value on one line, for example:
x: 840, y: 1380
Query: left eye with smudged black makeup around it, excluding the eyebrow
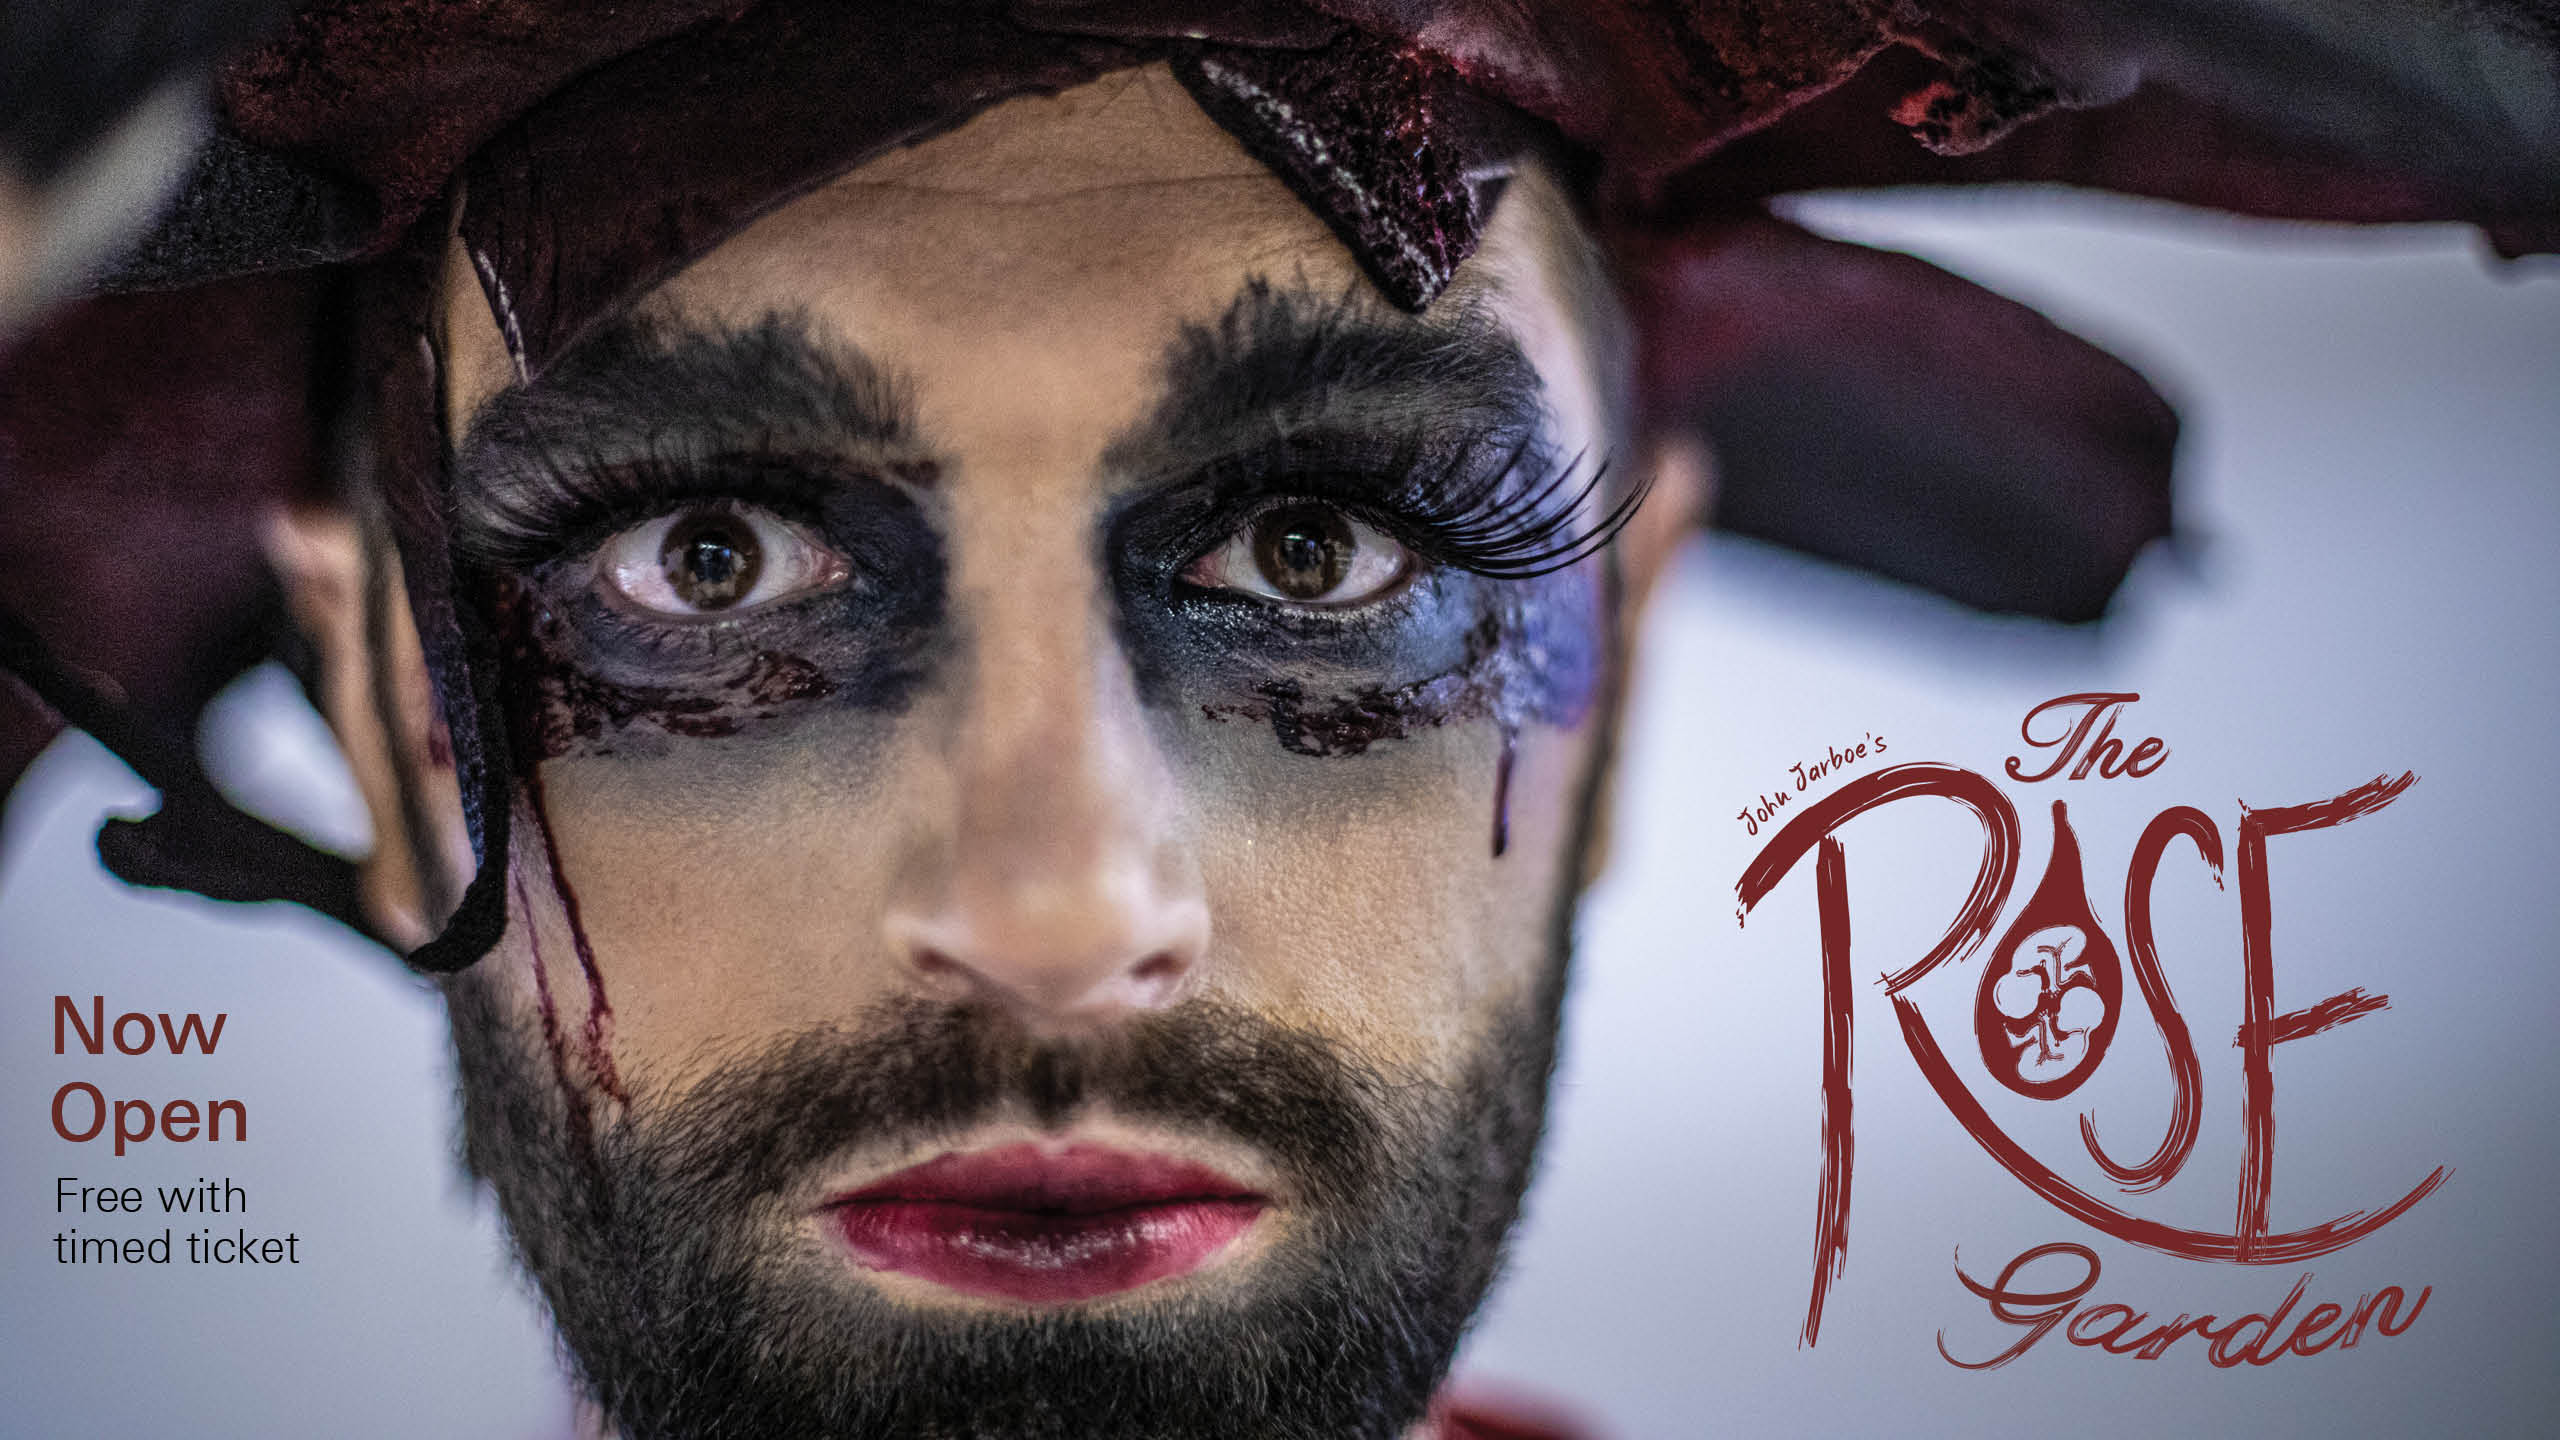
x: 705, y: 598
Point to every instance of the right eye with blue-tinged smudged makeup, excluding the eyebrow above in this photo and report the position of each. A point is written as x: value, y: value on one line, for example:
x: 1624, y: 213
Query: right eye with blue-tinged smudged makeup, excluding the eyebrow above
x: 1220, y: 601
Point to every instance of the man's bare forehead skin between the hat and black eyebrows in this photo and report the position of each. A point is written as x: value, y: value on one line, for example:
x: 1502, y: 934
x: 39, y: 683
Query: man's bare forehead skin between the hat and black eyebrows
x: 1025, y: 273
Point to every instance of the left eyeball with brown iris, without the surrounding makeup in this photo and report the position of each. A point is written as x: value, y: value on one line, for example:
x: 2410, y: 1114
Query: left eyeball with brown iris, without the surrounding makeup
x: 716, y: 560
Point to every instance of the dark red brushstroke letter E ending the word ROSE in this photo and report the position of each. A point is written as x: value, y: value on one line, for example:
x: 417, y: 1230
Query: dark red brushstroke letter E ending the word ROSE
x: 2264, y: 1031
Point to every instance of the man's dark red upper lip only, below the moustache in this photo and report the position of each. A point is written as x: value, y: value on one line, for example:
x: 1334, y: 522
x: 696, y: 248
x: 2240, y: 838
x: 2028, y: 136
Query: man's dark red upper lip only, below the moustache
x: 1053, y: 1180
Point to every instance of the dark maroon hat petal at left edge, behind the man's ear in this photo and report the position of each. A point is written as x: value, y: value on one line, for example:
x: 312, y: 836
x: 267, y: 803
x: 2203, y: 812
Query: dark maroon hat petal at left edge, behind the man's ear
x: 145, y: 442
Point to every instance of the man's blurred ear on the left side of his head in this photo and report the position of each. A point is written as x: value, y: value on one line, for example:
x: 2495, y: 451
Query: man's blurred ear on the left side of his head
x: 344, y: 591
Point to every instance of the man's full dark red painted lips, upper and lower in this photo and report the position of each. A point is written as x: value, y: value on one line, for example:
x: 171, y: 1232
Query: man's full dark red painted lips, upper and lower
x: 1046, y: 1226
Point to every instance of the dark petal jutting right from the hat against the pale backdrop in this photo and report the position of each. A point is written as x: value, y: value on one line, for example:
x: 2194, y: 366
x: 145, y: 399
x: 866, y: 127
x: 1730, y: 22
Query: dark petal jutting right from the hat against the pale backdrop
x: 1878, y: 411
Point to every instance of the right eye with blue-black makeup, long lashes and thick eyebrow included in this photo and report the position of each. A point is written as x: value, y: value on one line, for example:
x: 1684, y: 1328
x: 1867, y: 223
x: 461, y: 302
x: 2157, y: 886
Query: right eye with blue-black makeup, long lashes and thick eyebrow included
x: 1304, y: 437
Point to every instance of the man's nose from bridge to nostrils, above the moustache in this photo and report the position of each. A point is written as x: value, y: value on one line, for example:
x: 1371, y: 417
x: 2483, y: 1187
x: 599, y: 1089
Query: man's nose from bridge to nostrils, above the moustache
x: 1064, y: 885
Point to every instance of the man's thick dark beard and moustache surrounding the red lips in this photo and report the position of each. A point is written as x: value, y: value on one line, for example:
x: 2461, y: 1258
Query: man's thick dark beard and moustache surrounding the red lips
x: 657, y: 1241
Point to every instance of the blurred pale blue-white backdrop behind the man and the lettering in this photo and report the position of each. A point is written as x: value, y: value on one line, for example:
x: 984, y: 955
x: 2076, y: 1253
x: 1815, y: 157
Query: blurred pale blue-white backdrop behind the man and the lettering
x: 2374, y: 468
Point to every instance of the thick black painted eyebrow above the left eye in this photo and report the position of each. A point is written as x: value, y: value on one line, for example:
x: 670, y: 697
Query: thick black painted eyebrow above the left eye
x: 662, y: 393
